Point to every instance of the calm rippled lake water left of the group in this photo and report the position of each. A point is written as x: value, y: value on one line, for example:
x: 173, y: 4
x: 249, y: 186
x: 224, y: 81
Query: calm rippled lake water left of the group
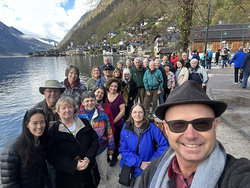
x: 20, y: 79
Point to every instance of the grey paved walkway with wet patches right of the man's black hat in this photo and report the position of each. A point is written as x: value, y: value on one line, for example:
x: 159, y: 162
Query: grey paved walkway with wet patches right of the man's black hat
x: 221, y: 87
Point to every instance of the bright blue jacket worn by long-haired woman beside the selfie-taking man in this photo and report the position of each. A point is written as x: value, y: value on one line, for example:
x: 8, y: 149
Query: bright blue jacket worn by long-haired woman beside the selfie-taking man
x: 150, y: 135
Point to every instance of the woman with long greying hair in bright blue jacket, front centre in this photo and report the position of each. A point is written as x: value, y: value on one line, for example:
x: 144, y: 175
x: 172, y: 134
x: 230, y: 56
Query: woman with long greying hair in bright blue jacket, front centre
x: 139, y: 131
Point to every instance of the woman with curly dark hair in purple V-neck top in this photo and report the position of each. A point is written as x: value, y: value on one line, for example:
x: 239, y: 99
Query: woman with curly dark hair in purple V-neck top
x: 117, y: 106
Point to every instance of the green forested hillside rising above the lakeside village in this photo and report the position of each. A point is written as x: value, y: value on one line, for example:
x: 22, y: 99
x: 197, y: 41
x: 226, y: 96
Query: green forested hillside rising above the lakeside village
x: 118, y: 15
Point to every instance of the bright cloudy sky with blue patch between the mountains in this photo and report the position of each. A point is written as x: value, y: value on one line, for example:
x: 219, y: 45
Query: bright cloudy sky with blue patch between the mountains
x: 50, y: 19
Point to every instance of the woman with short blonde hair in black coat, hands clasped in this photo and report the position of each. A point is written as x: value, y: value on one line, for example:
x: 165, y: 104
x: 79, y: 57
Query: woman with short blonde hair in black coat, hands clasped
x: 72, y: 148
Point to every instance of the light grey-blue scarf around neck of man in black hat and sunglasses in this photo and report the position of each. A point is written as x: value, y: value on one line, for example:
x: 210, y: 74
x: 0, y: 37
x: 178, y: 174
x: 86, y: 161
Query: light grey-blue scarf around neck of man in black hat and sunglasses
x: 206, y: 176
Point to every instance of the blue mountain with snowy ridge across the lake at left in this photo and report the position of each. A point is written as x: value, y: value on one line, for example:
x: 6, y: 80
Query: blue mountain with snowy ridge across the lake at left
x: 13, y: 42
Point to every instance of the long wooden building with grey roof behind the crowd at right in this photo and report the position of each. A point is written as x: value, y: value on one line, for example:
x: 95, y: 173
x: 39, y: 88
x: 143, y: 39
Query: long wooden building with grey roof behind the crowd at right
x: 221, y: 36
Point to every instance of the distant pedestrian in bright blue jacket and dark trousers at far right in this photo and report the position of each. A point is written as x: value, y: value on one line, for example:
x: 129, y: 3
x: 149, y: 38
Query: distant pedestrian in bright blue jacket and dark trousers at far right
x: 238, y: 60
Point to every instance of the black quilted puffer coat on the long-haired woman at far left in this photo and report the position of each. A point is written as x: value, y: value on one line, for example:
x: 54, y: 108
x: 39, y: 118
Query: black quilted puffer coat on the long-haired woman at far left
x: 13, y: 175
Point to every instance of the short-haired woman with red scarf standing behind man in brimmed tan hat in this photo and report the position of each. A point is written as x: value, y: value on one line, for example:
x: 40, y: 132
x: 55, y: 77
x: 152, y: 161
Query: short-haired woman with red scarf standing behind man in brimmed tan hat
x: 74, y: 88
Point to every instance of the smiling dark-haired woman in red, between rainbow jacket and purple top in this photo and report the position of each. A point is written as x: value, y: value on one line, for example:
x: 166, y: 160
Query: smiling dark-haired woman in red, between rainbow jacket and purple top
x: 100, y: 96
